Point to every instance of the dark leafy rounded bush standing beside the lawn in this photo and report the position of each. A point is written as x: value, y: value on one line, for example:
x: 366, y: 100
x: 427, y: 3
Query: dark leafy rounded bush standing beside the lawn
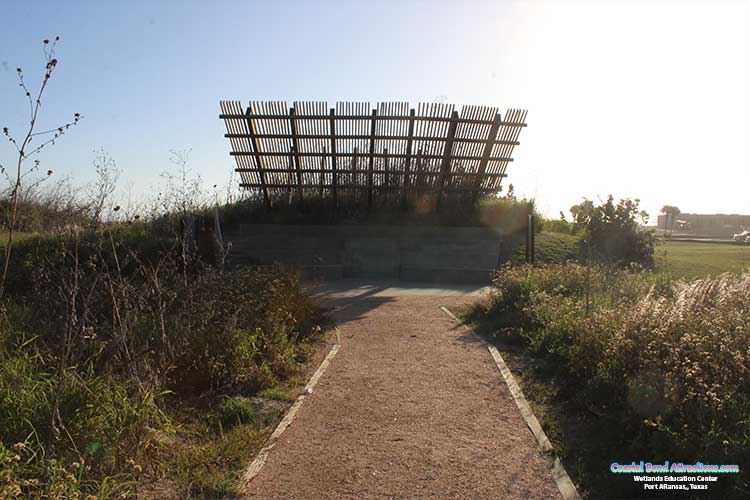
x: 613, y: 234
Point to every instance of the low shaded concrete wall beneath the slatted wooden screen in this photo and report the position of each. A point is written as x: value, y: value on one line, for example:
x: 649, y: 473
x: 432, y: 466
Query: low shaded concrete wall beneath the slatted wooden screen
x: 412, y: 253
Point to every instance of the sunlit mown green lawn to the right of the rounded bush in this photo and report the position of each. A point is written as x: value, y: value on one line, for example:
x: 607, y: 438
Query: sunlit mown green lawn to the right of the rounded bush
x: 696, y: 260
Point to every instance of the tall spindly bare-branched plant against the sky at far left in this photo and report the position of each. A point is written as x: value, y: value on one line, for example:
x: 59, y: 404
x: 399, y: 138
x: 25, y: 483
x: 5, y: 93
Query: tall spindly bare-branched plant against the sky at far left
x: 26, y: 149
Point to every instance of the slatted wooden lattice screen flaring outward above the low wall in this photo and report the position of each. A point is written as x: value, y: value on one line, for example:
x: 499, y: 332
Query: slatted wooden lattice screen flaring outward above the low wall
x: 356, y: 151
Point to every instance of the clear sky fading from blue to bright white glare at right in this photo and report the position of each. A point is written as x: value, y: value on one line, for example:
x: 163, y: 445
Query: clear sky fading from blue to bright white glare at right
x: 640, y: 99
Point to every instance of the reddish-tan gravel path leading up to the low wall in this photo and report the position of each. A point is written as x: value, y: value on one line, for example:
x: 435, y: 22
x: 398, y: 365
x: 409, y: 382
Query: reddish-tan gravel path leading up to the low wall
x: 412, y: 407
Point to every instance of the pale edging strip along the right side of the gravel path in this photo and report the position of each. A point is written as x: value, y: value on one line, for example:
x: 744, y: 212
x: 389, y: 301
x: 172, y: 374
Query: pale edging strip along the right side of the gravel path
x: 559, y: 474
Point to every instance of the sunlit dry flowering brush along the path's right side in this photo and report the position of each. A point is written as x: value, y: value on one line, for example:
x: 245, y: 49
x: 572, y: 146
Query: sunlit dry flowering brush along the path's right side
x: 666, y: 362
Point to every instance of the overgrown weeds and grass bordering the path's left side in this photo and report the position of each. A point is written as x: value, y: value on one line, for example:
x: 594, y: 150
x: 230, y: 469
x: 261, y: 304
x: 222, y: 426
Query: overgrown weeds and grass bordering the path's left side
x: 130, y: 370
